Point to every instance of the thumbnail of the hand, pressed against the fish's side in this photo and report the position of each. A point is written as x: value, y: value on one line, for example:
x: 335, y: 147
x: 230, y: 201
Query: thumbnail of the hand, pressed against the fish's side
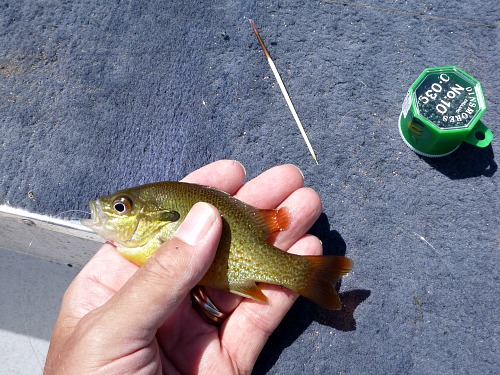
x: 197, y: 224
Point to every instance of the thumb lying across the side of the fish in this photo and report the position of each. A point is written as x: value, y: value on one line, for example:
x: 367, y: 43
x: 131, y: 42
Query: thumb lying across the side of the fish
x: 162, y: 284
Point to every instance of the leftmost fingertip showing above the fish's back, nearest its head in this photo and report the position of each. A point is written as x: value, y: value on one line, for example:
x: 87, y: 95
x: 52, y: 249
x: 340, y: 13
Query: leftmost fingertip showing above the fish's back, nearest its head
x: 227, y: 175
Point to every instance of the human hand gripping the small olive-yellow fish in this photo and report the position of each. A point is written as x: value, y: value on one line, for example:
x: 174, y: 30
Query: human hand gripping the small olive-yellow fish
x: 117, y: 318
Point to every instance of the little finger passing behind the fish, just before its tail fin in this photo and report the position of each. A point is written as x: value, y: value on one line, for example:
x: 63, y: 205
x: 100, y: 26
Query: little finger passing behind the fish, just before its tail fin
x: 248, y: 328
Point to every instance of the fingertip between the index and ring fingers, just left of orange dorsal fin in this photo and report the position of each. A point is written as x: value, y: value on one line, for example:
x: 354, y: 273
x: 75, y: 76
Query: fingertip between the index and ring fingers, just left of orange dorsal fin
x: 271, y: 187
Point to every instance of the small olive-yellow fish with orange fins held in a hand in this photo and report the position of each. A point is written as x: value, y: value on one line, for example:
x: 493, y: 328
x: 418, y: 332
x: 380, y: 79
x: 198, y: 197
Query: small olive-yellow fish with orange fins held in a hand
x: 138, y: 220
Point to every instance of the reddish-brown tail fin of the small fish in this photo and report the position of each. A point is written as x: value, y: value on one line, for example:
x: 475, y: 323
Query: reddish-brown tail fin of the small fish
x: 324, y: 273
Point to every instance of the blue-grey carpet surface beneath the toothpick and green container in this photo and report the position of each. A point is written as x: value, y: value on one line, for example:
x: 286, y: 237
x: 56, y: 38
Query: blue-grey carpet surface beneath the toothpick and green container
x: 97, y: 97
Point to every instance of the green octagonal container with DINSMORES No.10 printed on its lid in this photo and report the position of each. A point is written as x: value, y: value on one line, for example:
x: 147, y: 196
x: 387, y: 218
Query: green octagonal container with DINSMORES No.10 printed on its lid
x: 442, y: 109
